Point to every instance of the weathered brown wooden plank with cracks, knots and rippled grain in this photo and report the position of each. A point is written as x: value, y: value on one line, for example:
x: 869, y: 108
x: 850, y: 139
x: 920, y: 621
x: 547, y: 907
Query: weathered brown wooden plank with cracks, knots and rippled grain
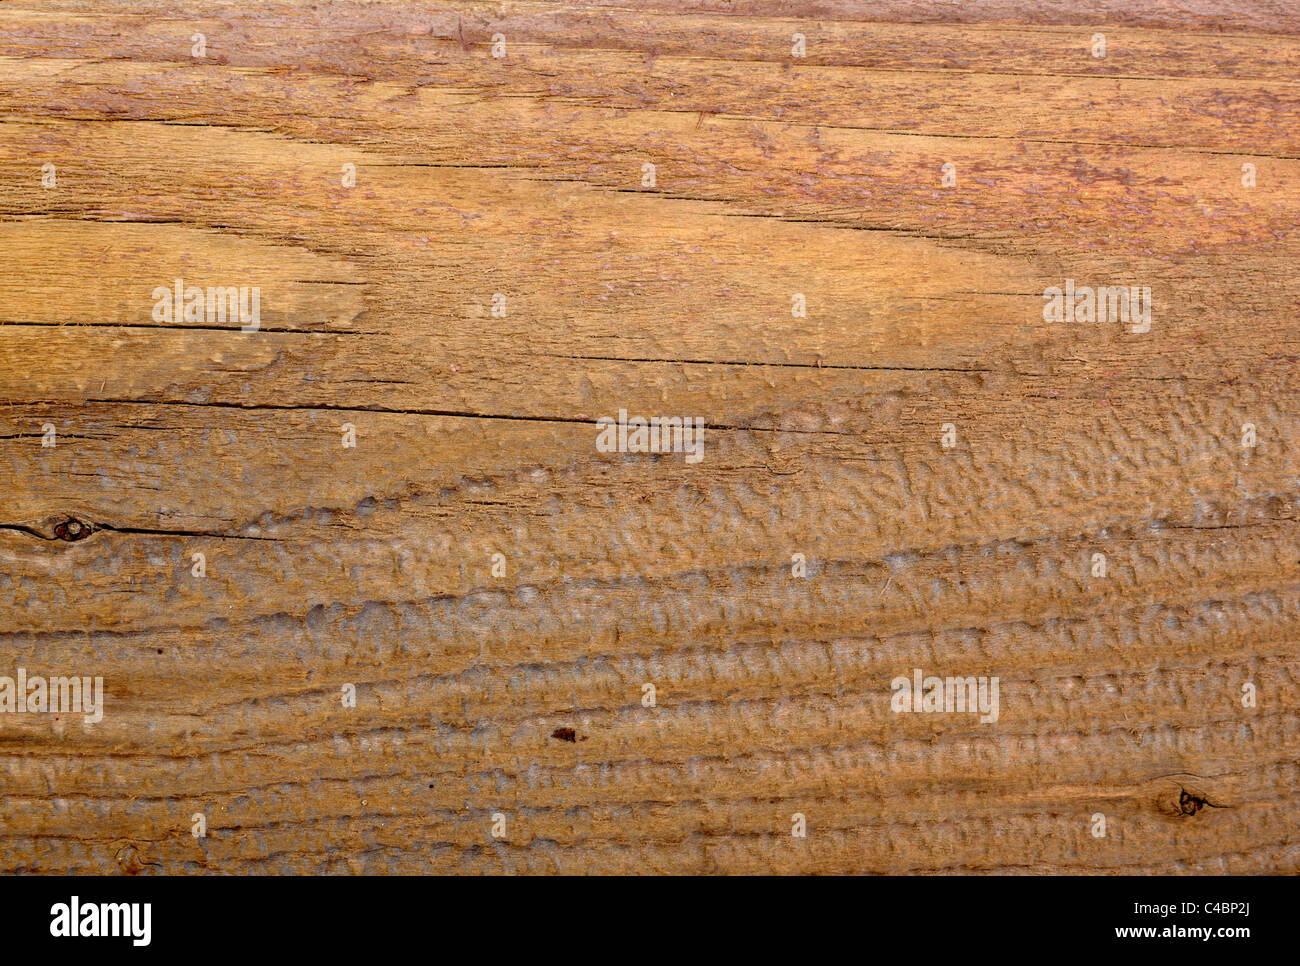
x: 476, y: 435
